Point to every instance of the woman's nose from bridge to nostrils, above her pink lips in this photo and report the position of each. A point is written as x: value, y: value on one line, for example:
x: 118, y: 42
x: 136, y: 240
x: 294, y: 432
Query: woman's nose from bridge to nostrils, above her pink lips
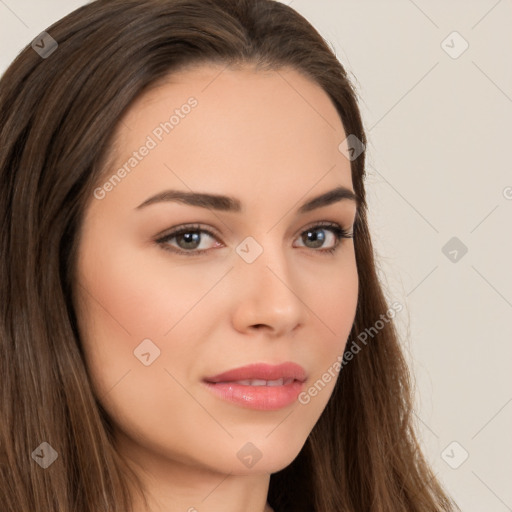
x: 267, y: 294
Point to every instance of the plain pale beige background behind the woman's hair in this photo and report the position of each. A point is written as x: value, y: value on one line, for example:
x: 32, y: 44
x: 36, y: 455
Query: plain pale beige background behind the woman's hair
x: 438, y: 117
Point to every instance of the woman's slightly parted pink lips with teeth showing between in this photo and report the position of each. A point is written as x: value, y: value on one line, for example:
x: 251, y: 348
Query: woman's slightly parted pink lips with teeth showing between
x: 259, y: 386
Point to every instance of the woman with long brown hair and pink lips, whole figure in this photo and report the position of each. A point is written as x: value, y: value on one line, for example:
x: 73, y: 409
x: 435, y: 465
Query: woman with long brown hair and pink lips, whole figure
x: 194, y: 320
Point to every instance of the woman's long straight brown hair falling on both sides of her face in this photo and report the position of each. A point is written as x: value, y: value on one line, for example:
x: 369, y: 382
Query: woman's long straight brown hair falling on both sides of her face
x: 57, y: 115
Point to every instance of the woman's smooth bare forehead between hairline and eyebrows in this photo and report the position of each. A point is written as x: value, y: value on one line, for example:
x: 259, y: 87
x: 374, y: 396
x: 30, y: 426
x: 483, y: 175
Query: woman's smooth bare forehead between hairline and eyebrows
x: 249, y: 128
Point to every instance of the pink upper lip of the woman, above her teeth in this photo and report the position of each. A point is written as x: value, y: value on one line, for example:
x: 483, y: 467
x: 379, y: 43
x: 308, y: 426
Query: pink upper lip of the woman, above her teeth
x: 261, y: 371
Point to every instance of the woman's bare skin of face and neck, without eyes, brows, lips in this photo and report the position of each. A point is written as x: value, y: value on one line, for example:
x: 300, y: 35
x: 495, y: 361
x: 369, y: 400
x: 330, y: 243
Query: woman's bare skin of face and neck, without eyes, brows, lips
x: 271, y: 140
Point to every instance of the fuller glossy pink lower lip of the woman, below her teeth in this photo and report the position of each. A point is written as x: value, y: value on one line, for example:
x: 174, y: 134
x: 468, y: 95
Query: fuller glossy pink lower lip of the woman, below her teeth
x: 263, y: 398
